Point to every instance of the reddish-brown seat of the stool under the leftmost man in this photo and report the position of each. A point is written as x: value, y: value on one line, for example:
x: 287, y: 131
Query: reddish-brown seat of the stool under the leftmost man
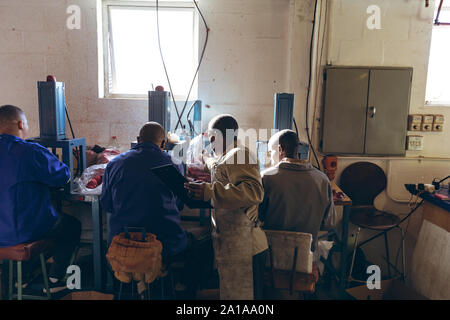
x: 25, y: 251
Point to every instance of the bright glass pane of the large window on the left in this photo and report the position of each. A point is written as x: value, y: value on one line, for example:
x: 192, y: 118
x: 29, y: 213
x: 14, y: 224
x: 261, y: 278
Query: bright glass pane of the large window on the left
x: 135, y: 57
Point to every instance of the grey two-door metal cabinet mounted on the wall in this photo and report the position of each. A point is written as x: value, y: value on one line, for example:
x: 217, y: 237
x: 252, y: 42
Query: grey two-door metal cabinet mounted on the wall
x: 365, y: 110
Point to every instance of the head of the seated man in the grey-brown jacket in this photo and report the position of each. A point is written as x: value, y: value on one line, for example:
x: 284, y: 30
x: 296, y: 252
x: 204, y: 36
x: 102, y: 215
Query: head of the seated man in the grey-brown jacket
x: 283, y: 144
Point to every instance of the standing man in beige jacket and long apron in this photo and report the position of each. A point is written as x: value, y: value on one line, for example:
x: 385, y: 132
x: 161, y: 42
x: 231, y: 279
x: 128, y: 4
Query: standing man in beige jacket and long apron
x: 240, y: 245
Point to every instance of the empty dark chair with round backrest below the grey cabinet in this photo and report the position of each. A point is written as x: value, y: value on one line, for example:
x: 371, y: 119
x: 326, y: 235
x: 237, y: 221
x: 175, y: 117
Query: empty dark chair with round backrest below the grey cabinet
x: 363, y: 182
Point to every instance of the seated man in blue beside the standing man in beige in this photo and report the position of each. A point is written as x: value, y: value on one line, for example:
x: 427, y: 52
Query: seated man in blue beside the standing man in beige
x: 135, y: 197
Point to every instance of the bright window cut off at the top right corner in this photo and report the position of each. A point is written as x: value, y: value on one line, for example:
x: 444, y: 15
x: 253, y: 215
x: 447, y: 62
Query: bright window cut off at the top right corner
x: 438, y: 83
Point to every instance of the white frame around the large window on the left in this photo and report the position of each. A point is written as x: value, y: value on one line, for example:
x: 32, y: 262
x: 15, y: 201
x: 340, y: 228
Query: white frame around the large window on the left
x: 104, y: 53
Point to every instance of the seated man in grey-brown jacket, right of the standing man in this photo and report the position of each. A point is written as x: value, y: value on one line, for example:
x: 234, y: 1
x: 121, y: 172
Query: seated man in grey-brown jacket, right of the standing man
x: 297, y: 196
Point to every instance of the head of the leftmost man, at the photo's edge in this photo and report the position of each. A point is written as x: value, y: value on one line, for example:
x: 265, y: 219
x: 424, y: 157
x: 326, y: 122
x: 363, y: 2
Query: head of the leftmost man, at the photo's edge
x: 13, y: 121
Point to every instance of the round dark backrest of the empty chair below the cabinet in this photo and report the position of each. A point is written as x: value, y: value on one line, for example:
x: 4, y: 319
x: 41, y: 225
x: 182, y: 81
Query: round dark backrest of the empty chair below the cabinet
x: 362, y: 182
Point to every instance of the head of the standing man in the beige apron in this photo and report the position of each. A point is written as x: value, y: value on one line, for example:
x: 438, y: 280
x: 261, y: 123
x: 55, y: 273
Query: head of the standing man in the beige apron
x: 222, y: 131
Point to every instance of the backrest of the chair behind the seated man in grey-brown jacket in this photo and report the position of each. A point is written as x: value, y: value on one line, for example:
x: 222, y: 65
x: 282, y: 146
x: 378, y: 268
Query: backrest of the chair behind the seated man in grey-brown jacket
x: 283, y: 246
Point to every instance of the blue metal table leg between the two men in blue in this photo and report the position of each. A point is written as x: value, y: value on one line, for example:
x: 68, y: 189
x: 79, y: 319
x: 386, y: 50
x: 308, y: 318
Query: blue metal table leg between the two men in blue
x: 97, y: 227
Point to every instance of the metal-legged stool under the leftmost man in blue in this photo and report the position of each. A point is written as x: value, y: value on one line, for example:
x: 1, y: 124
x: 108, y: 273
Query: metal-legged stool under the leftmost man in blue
x: 25, y: 252
